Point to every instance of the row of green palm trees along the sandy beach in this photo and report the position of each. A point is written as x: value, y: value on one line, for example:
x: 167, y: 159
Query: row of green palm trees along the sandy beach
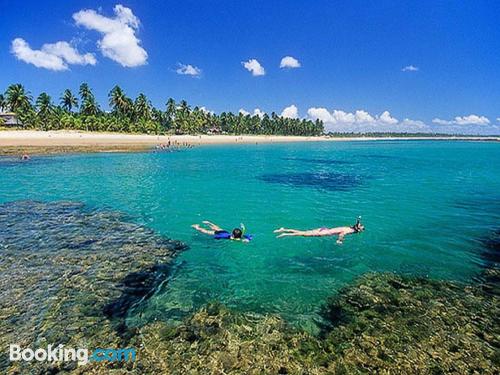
x: 83, y: 112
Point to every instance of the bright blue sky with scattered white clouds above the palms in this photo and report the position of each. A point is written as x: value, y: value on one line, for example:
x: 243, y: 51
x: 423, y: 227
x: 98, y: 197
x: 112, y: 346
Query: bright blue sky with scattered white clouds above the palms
x: 356, y: 65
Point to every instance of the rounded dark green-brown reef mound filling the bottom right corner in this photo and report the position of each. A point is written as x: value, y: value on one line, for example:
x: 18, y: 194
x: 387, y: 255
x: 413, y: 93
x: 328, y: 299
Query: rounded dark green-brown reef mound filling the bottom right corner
x: 398, y: 324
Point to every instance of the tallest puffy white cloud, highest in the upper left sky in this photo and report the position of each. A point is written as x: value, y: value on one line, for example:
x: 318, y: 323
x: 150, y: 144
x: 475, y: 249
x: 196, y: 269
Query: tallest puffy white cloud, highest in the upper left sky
x: 119, y: 42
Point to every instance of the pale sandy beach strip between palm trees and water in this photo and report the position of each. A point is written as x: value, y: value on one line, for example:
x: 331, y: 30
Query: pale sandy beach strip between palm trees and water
x: 16, y: 141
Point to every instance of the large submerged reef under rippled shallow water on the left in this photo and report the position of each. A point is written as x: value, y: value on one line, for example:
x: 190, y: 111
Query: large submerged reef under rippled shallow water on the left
x: 68, y: 275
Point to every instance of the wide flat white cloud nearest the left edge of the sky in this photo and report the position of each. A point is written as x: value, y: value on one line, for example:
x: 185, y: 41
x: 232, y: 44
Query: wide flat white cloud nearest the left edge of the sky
x: 53, y: 56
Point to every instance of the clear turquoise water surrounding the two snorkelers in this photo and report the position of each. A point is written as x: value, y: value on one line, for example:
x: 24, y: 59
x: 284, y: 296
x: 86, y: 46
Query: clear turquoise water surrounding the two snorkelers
x: 426, y: 206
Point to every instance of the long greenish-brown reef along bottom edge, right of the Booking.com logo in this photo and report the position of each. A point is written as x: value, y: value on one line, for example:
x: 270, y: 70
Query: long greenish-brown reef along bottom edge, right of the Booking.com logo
x: 383, y: 323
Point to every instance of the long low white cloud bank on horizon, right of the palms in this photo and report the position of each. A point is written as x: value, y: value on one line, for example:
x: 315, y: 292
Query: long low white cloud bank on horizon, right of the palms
x: 362, y: 121
